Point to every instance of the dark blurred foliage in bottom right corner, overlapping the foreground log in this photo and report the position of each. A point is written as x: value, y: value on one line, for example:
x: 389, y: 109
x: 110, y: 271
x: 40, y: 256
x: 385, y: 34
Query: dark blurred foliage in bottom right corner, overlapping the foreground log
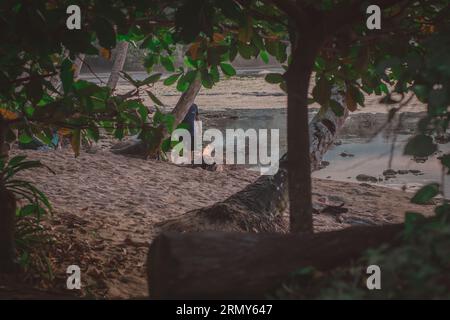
x: 418, y: 268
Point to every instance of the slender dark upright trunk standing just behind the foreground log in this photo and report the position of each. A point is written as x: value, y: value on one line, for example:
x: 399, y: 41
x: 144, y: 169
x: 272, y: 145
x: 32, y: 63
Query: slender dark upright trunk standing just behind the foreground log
x: 299, y: 163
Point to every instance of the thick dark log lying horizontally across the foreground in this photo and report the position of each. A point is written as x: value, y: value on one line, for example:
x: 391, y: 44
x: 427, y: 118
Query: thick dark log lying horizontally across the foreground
x: 218, y: 265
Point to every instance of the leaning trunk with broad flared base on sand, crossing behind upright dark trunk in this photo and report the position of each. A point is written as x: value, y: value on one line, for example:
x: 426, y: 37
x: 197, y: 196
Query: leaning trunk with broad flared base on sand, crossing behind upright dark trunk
x: 260, y: 206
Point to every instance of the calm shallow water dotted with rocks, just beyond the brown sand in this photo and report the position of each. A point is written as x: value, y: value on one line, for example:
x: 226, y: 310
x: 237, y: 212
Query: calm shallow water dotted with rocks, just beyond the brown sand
x: 369, y: 156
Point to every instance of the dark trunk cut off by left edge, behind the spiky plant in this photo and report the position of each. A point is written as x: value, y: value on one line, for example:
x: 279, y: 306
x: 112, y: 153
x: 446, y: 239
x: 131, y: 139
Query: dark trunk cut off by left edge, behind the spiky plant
x: 7, y: 214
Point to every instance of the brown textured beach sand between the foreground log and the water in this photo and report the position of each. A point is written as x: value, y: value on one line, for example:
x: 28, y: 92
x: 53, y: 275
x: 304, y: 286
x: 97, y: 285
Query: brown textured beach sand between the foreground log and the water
x: 106, y: 207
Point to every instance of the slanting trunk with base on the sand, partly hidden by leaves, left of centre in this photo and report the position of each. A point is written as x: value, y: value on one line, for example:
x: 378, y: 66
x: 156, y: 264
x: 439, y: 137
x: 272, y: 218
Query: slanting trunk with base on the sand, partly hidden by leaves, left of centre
x: 137, y: 147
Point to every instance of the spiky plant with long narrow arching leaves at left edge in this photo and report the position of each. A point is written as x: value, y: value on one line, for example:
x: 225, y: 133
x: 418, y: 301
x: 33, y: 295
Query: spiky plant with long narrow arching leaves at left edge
x: 21, y: 207
